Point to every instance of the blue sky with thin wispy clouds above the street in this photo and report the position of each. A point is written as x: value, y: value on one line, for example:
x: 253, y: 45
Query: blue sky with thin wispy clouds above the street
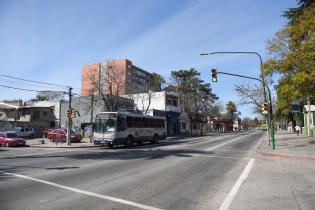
x: 50, y: 40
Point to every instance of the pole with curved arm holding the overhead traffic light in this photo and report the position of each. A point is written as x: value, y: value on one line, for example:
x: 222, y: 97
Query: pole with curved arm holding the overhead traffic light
x: 271, y: 125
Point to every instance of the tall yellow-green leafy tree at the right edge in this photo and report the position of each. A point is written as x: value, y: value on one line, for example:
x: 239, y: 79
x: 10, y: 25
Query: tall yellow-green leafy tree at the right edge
x: 292, y: 56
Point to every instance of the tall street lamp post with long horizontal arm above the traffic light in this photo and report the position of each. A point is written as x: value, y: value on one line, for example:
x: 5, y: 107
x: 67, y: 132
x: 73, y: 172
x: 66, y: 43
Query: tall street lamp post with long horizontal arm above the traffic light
x: 271, y: 126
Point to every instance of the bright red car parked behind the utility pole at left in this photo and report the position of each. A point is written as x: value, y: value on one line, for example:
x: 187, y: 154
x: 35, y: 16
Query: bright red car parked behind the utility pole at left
x: 61, y: 135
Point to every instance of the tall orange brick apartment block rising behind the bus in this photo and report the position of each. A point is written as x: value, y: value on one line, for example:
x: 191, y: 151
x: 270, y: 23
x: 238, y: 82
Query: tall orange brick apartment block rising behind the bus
x: 116, y: 77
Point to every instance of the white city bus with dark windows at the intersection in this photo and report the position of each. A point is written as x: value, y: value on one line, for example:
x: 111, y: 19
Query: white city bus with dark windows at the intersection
x: 124, y: 128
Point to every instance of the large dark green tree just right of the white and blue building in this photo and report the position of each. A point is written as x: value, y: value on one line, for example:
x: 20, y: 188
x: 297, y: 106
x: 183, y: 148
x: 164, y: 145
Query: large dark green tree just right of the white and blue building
x: 196, y: 97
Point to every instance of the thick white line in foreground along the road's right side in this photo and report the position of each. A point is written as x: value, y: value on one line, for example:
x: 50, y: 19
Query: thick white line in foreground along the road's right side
x: 229, y: 198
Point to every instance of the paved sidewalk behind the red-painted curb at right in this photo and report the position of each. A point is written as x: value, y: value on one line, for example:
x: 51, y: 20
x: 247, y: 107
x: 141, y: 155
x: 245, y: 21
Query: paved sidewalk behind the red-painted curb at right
x: 289, y: 145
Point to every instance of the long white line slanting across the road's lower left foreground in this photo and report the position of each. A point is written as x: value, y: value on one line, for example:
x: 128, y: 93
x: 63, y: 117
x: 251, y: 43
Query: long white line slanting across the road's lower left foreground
x: 105, y: 197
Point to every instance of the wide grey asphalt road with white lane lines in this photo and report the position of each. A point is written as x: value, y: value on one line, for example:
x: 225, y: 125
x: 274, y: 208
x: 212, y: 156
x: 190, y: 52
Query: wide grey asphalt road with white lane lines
x: 191, y: 173
